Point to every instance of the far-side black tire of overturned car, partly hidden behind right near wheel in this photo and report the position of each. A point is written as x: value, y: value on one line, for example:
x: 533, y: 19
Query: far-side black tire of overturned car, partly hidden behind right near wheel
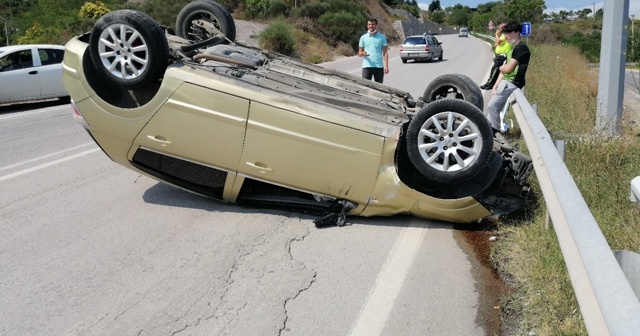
x: 454, y: 86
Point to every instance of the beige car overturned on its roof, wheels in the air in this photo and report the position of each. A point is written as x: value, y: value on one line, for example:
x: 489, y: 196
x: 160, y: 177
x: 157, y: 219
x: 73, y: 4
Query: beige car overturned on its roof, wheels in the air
x: 244, y: 125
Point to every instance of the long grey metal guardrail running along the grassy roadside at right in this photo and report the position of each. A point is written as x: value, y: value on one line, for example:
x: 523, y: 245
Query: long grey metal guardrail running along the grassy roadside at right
x: 606, y: 299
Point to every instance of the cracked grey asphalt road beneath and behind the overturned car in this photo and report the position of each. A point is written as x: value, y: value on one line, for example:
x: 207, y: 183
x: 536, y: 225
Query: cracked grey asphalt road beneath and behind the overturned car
x: 91, y: 248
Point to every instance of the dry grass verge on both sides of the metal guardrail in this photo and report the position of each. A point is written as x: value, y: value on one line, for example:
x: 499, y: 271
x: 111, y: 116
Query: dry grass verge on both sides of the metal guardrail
x: 528, y: 256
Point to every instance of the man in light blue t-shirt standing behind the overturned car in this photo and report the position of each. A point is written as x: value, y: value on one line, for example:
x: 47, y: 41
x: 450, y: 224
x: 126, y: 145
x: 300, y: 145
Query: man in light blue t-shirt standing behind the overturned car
x: 373, y: 47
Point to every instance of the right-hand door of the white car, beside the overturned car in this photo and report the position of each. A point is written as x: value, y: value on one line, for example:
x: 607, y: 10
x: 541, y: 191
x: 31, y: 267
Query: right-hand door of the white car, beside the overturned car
x: 48, y: 68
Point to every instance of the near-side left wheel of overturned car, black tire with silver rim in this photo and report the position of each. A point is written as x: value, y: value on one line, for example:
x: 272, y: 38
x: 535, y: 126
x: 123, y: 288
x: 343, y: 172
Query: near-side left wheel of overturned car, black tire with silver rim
x: 134, y: 62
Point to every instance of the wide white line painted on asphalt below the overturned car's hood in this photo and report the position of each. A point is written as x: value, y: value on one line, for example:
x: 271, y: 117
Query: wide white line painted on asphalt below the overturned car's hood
x: 377, y: 308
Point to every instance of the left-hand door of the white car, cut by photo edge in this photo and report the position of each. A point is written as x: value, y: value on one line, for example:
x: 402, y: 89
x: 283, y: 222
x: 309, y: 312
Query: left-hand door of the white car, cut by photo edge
x: 17, y: 83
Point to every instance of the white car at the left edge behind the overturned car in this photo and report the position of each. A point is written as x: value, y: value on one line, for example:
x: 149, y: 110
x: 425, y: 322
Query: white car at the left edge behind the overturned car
x: 31, y: 72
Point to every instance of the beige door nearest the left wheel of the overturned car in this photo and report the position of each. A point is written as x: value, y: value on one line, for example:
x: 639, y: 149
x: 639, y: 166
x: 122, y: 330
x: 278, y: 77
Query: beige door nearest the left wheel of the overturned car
x: 199, y: 125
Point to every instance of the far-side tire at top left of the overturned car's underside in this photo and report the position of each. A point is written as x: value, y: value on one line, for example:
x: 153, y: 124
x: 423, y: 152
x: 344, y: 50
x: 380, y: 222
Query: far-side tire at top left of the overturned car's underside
x: 207, y: 10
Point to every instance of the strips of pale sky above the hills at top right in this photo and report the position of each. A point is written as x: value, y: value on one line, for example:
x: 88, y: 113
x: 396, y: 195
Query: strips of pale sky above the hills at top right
x: 552, y: 5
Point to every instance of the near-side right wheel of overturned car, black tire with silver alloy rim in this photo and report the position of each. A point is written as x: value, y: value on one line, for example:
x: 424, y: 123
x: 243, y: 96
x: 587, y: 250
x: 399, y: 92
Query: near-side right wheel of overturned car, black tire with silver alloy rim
x: 449, y: 141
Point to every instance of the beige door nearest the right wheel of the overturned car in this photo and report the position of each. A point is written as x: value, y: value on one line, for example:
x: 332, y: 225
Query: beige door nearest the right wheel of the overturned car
x: 310, y: 154
